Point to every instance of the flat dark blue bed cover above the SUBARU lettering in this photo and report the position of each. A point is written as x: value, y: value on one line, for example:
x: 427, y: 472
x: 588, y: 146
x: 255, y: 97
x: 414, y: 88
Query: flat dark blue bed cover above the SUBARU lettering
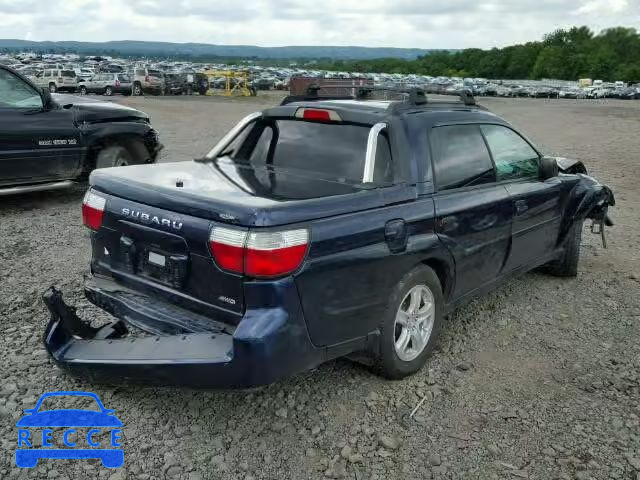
x: 226, y: 192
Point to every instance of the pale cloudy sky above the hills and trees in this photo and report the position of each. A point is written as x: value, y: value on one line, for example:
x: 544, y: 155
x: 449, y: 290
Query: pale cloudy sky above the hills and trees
x: 372, y: 23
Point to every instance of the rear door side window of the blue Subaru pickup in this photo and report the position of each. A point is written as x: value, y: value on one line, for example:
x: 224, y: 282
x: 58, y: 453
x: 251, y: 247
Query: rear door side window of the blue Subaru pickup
x: 460, y: 157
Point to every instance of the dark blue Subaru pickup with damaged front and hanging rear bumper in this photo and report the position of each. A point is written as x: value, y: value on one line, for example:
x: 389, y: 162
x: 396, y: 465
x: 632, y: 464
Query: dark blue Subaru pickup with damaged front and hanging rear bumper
x: 313, y: 230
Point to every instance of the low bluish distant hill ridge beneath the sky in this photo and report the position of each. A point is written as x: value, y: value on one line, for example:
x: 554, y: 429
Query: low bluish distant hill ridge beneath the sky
x: 131, y: 48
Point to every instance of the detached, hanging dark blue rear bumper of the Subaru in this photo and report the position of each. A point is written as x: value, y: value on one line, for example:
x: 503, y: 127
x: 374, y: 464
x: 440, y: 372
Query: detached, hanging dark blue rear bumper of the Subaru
x: 268, y: 344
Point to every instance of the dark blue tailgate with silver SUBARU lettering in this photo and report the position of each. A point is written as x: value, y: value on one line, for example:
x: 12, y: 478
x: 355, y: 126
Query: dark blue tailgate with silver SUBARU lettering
x: 166, y: 256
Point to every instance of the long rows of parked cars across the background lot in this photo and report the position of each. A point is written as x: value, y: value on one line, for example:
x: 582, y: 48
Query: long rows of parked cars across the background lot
x: 67, y: 73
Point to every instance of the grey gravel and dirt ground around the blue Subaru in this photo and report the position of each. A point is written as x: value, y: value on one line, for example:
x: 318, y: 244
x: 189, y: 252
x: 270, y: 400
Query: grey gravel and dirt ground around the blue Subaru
x: 539, y: 380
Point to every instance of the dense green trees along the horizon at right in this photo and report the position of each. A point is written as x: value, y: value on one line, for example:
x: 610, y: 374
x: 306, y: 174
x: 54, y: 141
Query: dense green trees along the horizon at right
x: 611, y: 55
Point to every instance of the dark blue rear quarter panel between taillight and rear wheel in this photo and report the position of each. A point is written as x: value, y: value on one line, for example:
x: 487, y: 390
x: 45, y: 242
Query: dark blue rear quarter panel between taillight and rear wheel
x: 350, y: 272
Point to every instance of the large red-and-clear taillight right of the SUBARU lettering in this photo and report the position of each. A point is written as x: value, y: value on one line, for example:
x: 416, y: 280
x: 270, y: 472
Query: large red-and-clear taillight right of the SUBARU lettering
x: 259, y: 254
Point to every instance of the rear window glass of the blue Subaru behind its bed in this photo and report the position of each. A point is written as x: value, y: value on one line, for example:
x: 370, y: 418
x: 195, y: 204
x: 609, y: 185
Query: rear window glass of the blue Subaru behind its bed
x: 333, y: 152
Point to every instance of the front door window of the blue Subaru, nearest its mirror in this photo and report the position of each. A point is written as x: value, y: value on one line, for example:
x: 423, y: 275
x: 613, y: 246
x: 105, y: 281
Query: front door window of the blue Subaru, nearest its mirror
x: 512, y: 154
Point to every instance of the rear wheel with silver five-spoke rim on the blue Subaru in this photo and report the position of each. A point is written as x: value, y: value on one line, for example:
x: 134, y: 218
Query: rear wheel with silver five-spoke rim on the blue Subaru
x: 393, y: 360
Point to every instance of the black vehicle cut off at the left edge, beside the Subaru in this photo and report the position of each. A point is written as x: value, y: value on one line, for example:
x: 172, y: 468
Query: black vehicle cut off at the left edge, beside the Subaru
x: 48, y: 141
